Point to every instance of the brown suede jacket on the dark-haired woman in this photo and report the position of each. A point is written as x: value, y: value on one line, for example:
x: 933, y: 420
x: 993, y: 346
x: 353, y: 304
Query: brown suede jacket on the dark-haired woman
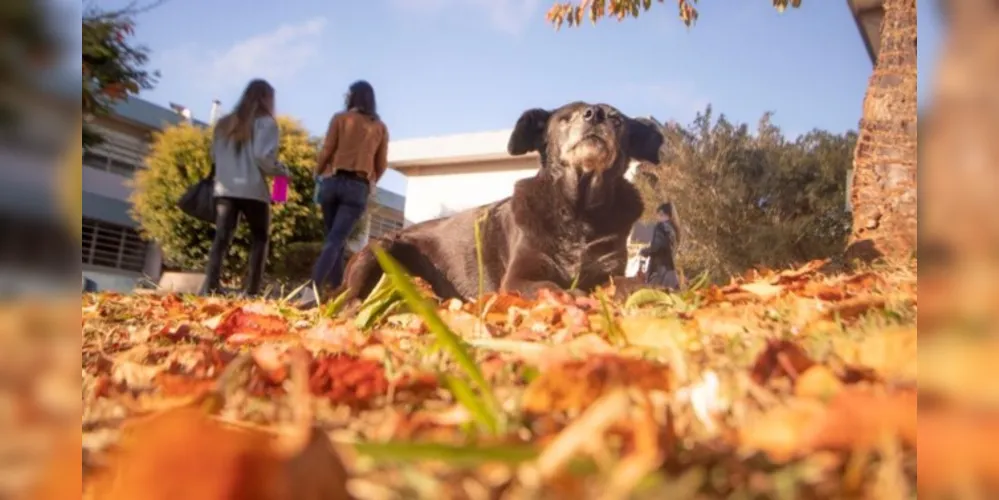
x: 354, y: 142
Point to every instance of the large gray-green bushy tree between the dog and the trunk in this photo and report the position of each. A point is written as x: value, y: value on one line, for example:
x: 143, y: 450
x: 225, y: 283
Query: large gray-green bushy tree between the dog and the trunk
x: 748, y: 199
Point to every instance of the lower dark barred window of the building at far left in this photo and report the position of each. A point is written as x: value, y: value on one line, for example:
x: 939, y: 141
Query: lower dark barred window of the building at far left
x: 110, y: 245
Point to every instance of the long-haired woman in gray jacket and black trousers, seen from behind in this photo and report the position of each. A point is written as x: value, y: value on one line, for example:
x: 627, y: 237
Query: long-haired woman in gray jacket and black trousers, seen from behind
x: 244, y: 149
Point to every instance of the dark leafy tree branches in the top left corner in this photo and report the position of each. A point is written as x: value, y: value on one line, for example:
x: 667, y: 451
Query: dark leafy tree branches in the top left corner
x: 113, y: 68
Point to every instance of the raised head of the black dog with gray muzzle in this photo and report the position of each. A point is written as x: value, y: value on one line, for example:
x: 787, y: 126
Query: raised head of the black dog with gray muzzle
x: 591, y: 138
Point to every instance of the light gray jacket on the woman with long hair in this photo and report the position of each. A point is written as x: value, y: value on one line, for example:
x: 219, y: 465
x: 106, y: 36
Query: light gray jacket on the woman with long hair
x: 242, y: 174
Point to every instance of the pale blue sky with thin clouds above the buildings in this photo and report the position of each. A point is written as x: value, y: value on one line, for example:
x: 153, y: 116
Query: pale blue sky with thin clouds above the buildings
x: 455, y: 66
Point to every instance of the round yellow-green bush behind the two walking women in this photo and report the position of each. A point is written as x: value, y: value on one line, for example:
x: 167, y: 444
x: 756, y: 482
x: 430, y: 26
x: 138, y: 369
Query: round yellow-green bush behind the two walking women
x: 179, y: 157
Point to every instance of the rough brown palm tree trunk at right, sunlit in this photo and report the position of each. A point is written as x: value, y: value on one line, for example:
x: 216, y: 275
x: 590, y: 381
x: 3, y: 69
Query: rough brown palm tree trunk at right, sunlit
x: 883, y: 194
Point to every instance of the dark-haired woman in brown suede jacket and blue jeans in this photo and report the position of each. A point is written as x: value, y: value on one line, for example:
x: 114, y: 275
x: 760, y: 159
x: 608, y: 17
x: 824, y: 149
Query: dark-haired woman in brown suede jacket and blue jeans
x: 353, y: 158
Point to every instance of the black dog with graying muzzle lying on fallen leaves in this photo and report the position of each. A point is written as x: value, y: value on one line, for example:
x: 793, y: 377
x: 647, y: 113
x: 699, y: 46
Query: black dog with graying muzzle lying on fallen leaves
x: 569, y: 224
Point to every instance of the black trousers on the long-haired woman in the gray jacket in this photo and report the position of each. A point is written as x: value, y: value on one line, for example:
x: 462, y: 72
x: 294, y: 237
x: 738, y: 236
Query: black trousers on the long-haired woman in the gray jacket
x: 258, y: 216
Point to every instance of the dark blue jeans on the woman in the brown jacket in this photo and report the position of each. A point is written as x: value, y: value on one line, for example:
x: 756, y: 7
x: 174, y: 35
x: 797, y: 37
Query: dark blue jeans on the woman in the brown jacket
x: 343, y: 200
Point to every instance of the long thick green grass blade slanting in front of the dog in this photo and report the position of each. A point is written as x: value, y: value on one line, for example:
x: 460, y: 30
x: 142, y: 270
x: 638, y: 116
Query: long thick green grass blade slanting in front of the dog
x: 423, y: 308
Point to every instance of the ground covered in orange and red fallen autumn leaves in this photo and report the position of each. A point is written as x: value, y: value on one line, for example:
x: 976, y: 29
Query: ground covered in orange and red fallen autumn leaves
x: 790, y: 384
